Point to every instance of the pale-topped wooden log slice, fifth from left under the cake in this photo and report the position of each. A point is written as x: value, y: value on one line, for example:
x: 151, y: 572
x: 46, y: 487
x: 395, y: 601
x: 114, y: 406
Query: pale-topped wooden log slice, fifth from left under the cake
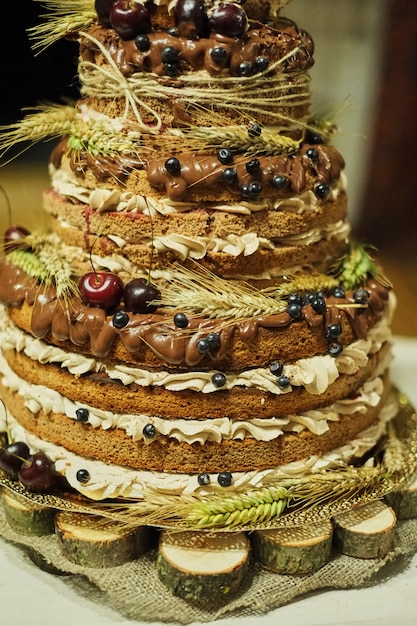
x: 365, y: 532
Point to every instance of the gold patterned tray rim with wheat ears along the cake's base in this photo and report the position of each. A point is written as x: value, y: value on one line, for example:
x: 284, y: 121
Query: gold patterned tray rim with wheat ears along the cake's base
x: 284, y: 502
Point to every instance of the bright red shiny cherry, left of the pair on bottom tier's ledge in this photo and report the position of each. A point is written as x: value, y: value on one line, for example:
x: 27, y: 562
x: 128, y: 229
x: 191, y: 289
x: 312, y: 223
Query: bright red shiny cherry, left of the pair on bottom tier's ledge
x: 101, y: 289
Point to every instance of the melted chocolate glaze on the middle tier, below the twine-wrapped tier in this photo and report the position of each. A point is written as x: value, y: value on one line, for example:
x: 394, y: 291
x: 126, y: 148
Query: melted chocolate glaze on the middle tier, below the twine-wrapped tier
x: 202, y: 172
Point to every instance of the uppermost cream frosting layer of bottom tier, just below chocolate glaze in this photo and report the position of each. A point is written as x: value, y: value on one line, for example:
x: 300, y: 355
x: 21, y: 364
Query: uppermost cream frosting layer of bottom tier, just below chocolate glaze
x: 315, y: 374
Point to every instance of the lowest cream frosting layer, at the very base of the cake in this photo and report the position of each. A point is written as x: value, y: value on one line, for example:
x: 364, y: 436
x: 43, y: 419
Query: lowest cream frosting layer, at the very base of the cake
x: 112, y: 481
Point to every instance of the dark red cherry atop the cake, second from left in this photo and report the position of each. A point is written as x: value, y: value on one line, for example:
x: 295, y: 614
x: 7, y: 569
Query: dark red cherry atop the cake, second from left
x: 130, y: 18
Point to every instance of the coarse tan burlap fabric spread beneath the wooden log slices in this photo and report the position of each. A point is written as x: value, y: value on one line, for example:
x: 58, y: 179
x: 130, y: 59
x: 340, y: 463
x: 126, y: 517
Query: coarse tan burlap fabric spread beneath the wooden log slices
x: 136, y: 592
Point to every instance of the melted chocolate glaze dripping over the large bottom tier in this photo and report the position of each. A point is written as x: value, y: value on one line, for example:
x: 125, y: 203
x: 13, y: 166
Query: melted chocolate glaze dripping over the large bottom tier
x: 71, y: 320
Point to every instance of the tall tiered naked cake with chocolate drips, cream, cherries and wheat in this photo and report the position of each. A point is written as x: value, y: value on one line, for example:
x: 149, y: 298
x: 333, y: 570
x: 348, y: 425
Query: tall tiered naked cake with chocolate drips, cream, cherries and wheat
x: 197, y: 321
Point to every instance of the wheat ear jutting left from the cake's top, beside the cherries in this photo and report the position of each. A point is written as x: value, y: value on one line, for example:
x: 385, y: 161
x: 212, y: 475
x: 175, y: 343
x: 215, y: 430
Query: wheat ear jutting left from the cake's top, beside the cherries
x: 65, y: 17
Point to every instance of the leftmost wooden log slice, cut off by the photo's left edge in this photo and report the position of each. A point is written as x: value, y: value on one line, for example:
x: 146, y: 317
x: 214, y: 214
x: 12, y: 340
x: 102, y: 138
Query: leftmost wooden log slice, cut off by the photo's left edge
x: 26, y: 517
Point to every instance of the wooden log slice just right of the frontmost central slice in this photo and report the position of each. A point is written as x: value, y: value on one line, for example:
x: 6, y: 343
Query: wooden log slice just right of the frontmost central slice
x: 296, y: 550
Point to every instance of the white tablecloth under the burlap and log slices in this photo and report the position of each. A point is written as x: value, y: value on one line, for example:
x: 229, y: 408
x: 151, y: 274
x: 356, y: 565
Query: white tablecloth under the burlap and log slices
x: 31, y: 597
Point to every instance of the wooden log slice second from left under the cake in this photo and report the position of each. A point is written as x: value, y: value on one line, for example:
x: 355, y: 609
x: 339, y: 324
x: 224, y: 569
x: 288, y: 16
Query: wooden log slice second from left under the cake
x: 88, y: 541
